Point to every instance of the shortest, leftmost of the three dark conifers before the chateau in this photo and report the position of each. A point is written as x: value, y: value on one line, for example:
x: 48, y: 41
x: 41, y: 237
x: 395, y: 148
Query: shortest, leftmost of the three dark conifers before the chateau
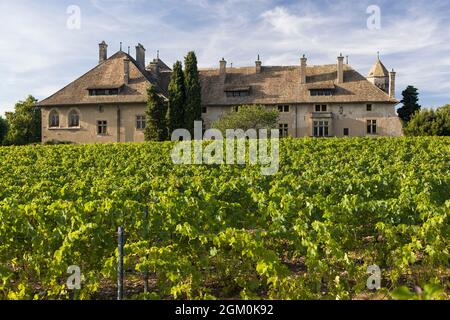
x: 156, y: 111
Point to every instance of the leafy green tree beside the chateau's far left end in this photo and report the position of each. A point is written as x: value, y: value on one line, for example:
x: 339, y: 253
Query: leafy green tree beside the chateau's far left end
x: 24, y: 124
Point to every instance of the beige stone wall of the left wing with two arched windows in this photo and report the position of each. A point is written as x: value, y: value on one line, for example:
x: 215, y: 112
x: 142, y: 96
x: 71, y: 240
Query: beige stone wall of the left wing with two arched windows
x: 121, y: 124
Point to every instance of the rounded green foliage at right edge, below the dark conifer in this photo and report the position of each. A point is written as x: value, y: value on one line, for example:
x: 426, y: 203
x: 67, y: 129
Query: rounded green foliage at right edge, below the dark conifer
x: 430, y: 122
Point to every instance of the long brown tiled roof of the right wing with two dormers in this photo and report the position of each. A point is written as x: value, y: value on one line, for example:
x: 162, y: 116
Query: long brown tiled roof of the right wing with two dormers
x: 275, y: 85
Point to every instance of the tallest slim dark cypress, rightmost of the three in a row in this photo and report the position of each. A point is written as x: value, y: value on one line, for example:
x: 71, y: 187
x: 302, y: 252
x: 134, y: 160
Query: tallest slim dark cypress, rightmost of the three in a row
x: 193, y: 110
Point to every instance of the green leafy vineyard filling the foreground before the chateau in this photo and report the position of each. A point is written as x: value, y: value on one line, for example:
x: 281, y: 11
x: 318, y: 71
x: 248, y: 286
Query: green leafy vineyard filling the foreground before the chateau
x: 335, y: 207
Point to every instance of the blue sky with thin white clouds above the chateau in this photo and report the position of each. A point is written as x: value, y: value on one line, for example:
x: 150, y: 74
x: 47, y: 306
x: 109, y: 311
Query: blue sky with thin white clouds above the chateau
x: 46, y: 46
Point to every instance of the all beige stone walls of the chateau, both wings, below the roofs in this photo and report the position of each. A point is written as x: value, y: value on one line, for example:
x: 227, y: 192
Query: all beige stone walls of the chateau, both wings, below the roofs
x: 300, y: 120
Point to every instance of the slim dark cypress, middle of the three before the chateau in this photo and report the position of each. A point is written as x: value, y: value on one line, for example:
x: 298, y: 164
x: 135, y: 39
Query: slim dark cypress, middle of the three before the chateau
x: 177, y: 99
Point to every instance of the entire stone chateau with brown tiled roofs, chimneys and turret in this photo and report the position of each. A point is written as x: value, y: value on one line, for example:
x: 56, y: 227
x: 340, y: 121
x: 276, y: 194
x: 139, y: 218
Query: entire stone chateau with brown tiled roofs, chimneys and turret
x: 107, y: 104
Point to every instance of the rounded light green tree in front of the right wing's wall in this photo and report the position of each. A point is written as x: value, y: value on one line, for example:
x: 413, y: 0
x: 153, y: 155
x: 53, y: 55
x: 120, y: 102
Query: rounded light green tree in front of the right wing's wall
x: 248, y: 117
